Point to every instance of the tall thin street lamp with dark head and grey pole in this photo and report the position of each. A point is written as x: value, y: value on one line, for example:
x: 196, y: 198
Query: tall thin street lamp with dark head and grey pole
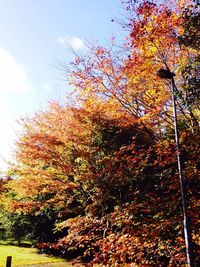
x: 167, y: 74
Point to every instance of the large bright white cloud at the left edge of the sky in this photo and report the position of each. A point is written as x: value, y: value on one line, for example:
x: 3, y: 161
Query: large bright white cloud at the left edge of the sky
x: 12, y: 76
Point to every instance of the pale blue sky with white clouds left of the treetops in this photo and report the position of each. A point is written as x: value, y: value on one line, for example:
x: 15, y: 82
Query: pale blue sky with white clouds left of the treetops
x: 33, y: 37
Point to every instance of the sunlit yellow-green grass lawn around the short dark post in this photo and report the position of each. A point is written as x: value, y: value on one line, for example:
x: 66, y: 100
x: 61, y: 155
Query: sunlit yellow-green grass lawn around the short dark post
x: 25, y: 256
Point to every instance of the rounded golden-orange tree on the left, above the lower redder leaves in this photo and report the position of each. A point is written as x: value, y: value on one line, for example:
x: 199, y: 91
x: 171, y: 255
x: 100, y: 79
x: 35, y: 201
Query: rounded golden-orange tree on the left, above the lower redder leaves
x: 66, y: 158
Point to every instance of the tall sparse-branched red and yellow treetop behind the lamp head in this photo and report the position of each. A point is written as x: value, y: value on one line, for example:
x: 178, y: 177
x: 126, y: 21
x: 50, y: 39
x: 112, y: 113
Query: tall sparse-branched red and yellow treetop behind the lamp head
x: 128, y: 76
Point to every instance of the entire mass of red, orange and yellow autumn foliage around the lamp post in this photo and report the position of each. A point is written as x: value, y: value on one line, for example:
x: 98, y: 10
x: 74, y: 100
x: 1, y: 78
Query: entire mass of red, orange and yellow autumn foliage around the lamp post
x: 98, y: 180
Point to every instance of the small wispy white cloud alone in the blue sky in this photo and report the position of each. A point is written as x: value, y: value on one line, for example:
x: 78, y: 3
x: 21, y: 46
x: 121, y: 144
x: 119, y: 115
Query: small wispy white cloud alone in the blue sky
x: 73, y: 42
